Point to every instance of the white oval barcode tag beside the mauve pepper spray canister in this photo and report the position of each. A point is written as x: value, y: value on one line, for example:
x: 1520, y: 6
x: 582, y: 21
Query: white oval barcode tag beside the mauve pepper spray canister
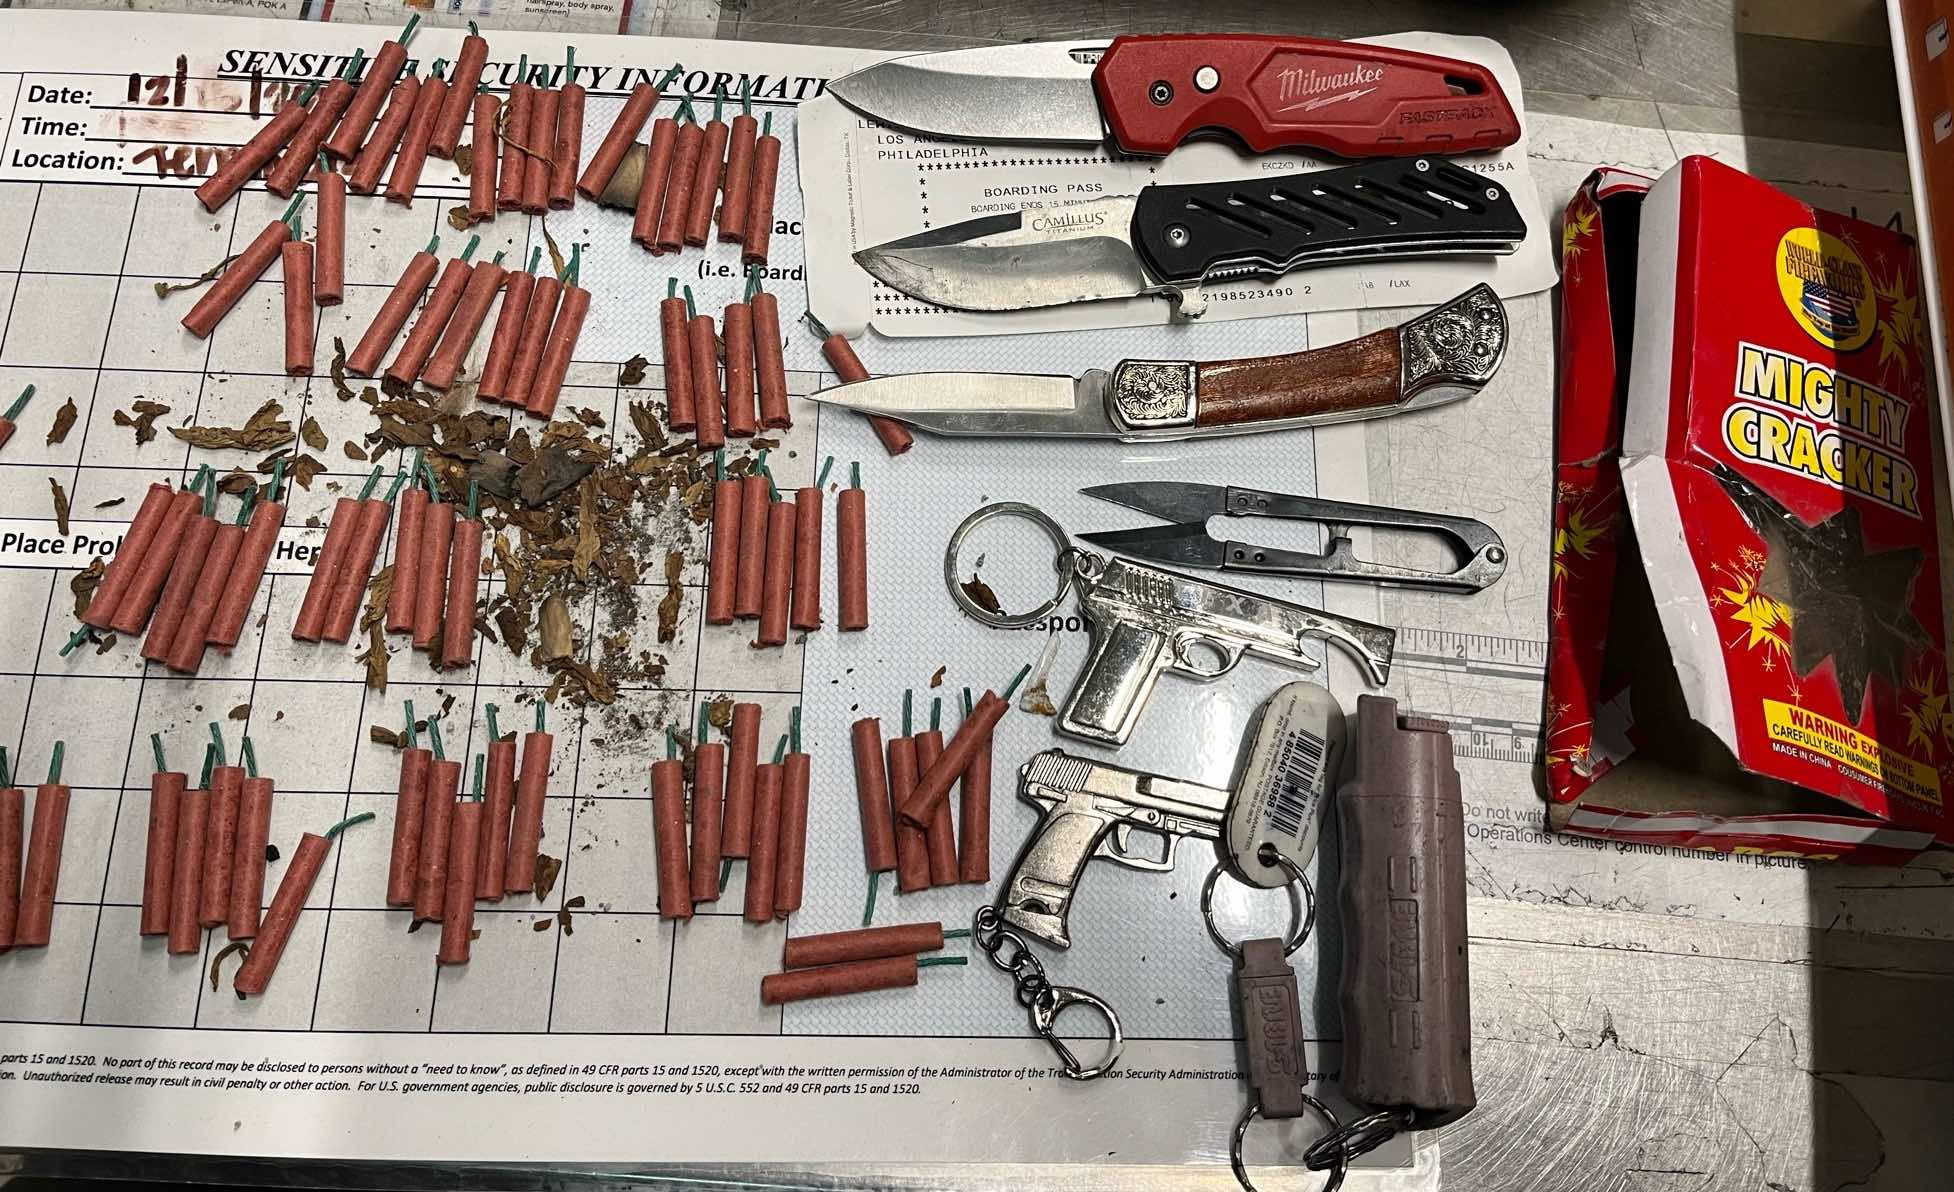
x: 1287, y: 783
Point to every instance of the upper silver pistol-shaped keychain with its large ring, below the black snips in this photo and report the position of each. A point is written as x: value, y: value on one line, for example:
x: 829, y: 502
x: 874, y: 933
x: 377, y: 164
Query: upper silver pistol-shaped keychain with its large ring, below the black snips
x: 1148, y: 620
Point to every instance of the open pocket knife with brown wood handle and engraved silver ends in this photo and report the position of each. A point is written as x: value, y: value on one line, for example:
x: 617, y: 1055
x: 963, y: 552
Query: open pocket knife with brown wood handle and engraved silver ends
x: 1439, y: 357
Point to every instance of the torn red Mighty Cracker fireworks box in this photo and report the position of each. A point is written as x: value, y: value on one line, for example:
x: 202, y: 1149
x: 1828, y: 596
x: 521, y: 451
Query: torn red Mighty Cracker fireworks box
x: 1748, y: 646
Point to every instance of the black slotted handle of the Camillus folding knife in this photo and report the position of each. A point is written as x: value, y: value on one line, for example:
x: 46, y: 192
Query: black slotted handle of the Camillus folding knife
x: 1273, y: 226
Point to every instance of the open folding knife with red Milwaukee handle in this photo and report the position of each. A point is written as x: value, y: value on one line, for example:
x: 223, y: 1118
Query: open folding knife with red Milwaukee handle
x: 1148, y: 95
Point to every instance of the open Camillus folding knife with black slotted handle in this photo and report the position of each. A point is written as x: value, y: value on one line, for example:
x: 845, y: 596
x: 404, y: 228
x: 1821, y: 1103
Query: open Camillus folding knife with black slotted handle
x: 1177, y: 239
